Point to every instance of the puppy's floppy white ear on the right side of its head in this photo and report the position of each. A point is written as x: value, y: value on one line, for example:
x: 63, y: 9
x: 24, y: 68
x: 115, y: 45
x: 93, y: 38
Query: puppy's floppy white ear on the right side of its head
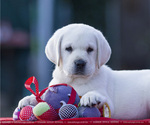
x: 103, y: 49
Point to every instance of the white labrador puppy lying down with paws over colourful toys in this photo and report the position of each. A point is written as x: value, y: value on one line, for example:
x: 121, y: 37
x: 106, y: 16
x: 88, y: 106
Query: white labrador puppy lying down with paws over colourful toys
x: 80, y: 53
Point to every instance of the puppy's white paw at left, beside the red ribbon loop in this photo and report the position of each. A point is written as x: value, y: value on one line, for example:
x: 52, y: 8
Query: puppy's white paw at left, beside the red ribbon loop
x: 28, y: 100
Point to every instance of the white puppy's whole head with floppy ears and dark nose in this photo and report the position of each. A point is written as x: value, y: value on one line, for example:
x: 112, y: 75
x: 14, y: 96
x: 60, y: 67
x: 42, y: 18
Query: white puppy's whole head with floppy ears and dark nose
x: 78, y: 50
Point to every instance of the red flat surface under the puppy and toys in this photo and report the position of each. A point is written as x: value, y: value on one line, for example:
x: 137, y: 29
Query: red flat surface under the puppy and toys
x: 75, y: 121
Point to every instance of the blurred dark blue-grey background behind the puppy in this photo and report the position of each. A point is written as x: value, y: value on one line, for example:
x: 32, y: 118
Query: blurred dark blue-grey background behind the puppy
x: 26, y: 26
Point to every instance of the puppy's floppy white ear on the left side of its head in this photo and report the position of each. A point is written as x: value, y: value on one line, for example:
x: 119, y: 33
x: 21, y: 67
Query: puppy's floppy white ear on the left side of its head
x: 53, y: 48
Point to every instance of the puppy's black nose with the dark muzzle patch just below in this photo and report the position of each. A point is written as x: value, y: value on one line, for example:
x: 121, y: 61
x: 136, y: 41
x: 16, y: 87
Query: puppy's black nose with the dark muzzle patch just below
x: 79, y: 67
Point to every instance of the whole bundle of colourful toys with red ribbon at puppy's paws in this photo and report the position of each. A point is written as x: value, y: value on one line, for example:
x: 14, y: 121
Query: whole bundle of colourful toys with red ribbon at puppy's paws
x: 55, y: 102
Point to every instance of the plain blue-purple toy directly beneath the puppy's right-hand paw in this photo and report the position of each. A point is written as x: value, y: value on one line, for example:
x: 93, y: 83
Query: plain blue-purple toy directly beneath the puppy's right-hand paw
x: 85, y: 111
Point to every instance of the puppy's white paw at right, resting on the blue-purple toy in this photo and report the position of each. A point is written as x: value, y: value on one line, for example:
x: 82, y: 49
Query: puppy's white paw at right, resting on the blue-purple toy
x: 92, y: 99
